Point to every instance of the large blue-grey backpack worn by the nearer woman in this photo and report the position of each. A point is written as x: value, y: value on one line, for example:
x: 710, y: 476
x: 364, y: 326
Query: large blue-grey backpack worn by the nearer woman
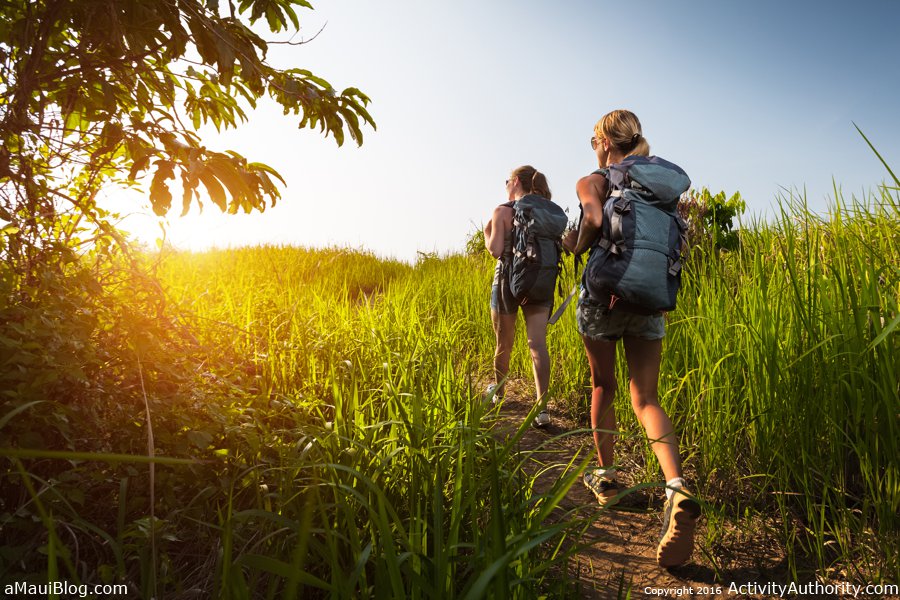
x: 636, y: 263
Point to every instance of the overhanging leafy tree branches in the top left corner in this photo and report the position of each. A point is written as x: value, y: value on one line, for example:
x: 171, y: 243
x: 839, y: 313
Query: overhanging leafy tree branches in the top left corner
x: 94, y: 91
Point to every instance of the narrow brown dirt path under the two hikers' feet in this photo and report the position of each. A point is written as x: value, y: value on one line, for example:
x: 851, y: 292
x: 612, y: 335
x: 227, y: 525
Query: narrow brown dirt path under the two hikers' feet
x: 621, y: 550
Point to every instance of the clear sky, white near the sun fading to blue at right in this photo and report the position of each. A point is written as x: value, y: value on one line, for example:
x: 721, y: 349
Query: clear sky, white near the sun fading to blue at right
x: 752, y: 97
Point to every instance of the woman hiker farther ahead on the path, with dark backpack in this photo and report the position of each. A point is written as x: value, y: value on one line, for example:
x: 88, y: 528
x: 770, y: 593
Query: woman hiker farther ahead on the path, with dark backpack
x: 524, y: 236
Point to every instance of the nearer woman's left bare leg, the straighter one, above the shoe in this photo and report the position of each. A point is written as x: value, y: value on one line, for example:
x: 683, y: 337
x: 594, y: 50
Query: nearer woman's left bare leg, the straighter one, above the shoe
x: 602, y: 361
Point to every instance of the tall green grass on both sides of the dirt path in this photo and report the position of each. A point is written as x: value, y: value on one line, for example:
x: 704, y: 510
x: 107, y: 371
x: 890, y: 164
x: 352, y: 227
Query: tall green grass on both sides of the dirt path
x: 330, y: 403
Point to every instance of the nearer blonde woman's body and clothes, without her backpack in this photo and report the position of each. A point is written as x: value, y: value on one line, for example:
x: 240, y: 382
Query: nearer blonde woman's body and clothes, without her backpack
x: 602, y: 323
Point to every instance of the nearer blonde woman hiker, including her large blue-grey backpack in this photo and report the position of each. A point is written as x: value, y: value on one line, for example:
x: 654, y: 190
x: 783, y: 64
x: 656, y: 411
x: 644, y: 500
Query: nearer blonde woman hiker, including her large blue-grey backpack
x: 630, y: 196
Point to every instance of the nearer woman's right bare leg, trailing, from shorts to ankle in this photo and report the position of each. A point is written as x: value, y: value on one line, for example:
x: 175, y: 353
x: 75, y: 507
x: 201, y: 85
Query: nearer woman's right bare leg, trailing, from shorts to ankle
x: 643, y: 357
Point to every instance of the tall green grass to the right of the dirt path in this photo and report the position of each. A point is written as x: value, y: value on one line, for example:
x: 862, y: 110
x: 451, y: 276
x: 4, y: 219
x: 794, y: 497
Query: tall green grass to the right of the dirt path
x: 780, y: 370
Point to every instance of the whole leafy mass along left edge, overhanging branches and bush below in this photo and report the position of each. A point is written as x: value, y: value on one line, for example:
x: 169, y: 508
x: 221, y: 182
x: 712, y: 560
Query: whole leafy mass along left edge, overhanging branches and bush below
x: 96, y: 93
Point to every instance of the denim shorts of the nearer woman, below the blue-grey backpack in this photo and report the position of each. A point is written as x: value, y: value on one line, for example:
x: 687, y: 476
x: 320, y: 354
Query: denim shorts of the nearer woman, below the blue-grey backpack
x: 599, y: 323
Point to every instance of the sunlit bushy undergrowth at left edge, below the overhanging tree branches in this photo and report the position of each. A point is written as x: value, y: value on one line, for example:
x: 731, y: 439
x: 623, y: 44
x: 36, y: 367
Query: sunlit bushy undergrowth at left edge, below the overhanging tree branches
x: 82, y: 346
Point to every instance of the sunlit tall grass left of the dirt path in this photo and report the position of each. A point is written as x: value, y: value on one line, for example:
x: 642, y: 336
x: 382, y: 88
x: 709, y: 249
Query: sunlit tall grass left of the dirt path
x: 383, y: 479
